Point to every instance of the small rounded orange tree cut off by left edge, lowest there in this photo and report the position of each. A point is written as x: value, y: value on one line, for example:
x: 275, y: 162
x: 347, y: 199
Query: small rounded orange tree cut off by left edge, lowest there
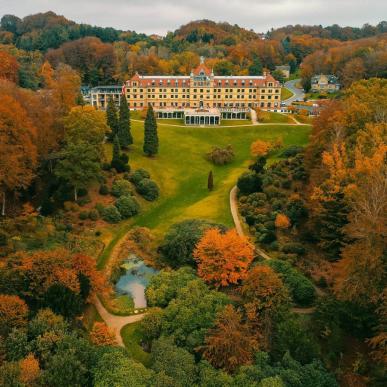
x: 13, y: 313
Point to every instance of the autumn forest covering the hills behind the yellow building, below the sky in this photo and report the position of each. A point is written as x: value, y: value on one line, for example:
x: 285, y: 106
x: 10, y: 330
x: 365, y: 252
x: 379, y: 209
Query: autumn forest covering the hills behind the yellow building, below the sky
x: 106, y: 55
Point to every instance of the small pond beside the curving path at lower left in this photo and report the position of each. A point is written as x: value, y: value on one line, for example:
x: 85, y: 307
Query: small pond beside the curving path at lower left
x: 134, y: 281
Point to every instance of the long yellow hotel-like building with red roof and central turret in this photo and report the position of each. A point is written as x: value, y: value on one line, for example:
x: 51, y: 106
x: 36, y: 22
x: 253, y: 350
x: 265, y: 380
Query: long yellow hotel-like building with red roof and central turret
x: 201, y: 98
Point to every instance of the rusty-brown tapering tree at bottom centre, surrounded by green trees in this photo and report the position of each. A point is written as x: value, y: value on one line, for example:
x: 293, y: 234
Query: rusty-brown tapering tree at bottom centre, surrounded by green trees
x: 230, y: 343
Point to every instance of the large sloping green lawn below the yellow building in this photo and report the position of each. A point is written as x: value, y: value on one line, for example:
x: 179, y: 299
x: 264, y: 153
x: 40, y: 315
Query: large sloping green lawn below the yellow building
x: 181, y: 171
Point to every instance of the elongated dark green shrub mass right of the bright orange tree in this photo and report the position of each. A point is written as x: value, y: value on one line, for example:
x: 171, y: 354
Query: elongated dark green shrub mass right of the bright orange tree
x: 300, y: 287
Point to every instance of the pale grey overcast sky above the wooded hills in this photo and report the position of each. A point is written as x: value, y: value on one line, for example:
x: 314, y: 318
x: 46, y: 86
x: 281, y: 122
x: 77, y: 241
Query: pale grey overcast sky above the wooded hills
x: 160, y: 16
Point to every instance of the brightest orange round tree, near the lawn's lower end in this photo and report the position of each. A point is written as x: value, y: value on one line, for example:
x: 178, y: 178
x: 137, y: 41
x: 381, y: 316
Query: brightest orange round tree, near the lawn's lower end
x: 223, y: 259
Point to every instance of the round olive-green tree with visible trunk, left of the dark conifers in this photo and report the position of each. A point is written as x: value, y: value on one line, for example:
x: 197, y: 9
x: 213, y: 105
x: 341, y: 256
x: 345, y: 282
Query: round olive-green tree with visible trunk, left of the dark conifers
x: 80, y: 166
